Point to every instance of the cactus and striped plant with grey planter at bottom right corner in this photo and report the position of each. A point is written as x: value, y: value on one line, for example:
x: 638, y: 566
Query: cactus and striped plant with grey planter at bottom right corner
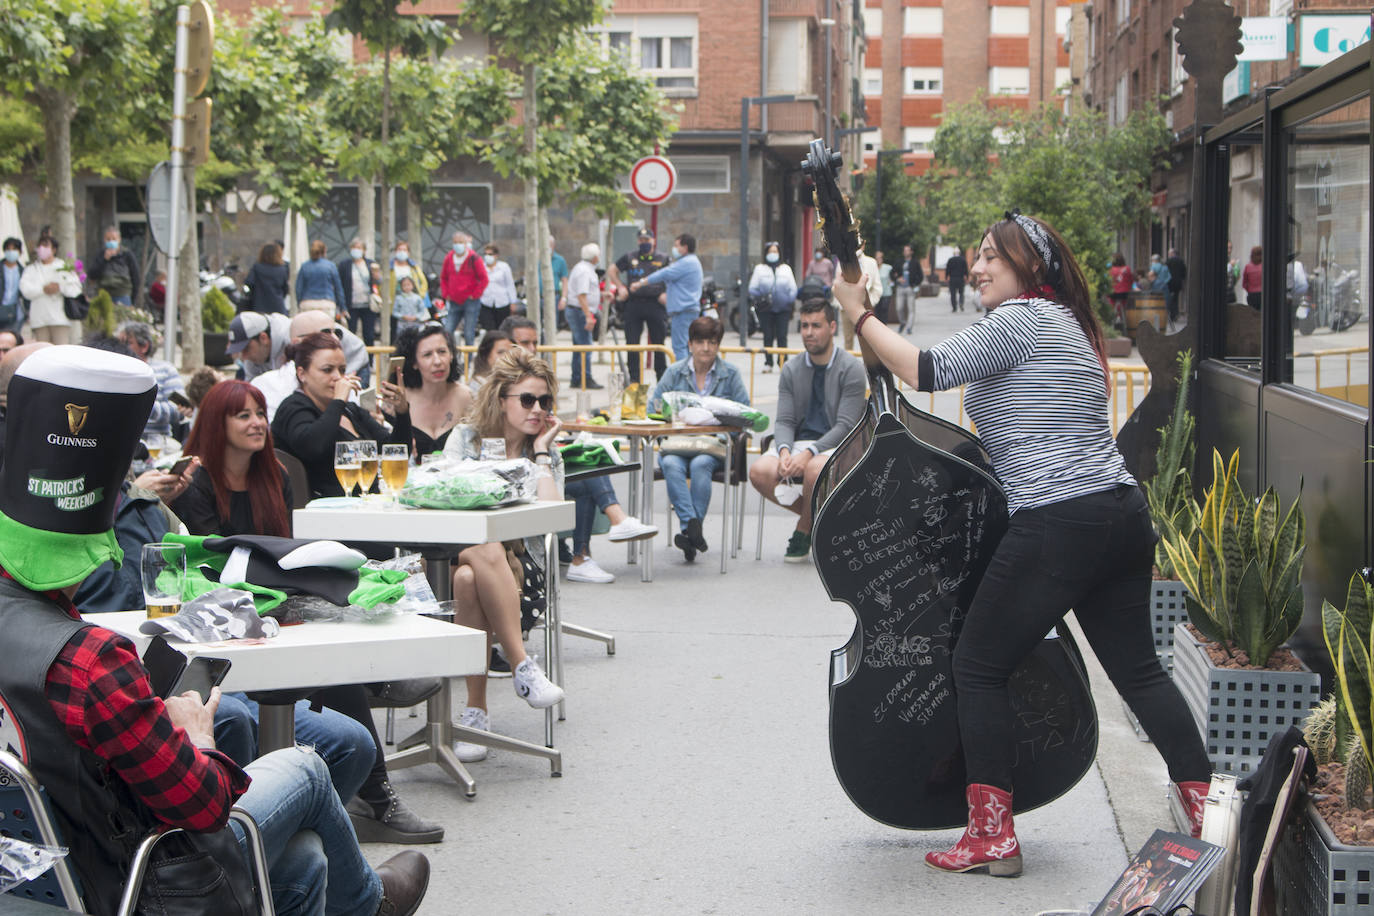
x: 1327, y: 858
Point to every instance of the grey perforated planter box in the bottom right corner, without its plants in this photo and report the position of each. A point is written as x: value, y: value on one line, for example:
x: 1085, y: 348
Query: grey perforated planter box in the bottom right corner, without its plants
x: 1314, y: 874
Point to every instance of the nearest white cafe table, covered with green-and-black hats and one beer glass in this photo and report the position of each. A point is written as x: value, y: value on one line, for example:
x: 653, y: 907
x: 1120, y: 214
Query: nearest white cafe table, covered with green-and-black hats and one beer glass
x: 325, y: 653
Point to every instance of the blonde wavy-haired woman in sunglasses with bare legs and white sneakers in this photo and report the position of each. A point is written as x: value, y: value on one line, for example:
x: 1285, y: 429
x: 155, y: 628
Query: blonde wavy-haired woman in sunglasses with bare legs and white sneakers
x: 516, y: 404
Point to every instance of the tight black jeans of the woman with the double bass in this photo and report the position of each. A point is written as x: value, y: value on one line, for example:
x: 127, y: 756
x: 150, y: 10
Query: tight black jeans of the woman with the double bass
x: 1092, y: 556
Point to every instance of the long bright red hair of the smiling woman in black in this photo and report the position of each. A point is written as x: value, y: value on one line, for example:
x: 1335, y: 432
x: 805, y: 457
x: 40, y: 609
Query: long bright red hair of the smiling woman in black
x: 210, y: 442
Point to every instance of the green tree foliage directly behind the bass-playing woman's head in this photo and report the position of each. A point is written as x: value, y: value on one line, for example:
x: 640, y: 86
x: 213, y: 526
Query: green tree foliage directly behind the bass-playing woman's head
x: 1088, y: 179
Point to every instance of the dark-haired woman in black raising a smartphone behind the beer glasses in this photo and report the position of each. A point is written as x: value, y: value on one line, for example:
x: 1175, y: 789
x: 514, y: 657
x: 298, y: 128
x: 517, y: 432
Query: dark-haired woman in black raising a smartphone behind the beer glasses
x: 319, y: 414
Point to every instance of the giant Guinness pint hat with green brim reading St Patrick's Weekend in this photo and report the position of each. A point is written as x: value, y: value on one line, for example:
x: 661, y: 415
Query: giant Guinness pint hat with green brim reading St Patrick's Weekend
x: 75, y: 420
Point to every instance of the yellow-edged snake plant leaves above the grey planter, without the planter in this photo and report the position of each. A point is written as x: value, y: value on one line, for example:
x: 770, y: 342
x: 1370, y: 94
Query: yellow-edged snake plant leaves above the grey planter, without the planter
x: 1243, y: 566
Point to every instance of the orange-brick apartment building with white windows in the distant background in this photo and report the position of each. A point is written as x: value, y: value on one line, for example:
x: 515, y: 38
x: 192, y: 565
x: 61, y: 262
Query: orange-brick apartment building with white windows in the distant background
x: 928, y: 54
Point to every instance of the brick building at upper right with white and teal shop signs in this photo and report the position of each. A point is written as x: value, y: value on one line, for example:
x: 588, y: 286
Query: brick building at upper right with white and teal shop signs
x: 1130, y: 60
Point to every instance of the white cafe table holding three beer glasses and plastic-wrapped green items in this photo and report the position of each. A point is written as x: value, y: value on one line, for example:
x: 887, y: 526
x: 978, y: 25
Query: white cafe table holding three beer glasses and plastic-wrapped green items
x: 436, y: 534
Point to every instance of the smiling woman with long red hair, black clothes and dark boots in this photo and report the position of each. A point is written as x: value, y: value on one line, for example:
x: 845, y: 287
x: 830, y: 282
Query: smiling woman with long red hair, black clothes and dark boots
x: 240, y: 490
